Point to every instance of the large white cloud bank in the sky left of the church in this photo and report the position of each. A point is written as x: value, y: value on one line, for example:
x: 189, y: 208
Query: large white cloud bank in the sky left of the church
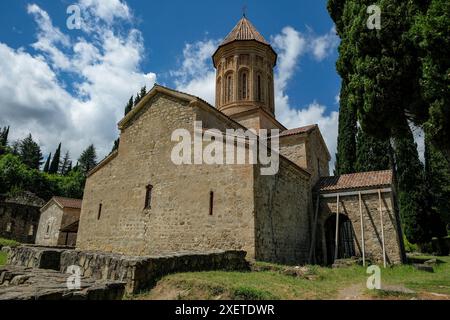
x: 105, y: 63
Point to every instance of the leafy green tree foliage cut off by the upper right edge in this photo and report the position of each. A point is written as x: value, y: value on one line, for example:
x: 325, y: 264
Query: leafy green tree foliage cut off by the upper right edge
x: 431, y: 35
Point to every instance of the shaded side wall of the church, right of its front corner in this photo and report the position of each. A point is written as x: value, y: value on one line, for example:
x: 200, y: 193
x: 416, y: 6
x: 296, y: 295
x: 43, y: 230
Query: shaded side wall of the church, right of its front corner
x: 283, y: 211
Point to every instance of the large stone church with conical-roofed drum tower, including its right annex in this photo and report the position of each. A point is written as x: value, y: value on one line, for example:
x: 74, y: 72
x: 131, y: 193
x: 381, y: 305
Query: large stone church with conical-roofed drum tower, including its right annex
x: 138, y: 202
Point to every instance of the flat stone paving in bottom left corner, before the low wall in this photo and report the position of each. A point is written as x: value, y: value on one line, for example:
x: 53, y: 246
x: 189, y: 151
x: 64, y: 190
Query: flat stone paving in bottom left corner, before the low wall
x: 21, y: 283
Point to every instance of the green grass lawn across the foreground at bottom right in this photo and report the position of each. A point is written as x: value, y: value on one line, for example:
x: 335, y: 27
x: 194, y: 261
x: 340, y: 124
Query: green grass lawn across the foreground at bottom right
x: 325, y: 283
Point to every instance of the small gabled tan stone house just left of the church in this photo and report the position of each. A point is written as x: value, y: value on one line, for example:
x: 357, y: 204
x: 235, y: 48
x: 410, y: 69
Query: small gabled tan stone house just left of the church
x: 58, y: 225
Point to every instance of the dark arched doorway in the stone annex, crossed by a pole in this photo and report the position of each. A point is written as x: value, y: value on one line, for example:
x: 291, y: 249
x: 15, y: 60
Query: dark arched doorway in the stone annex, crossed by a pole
x: 346, y: 244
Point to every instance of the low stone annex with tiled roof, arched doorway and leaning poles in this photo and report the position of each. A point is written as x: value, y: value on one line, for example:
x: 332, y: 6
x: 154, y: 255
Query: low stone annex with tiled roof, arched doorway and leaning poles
x: 357, y: 218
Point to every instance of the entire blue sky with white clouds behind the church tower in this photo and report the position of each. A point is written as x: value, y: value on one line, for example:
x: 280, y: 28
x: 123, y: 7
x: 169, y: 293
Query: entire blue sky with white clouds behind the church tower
x: 77, y: 81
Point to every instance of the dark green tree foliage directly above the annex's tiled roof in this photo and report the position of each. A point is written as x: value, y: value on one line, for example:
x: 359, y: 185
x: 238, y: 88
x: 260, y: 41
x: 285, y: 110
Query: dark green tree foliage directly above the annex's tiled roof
x: 372, y: 154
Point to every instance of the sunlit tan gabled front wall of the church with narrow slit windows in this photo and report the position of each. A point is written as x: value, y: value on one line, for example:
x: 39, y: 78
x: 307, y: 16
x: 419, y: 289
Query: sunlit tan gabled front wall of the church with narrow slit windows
x: 179, y: 218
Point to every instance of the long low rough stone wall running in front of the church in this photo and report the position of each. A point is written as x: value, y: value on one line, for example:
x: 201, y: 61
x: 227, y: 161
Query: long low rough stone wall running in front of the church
x: 139, y: 273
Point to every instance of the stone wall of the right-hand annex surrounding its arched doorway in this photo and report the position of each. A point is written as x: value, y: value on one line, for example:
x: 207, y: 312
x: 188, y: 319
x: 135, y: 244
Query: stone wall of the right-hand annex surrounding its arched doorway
x: 349, y: 205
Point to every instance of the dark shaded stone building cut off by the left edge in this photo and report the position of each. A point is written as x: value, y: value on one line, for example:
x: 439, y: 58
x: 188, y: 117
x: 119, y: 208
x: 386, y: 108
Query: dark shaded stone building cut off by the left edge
x: 19, y: 216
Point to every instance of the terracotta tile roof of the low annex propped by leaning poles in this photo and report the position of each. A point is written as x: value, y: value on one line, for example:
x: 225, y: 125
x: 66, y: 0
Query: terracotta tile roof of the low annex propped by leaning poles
x: 356, y: 181
